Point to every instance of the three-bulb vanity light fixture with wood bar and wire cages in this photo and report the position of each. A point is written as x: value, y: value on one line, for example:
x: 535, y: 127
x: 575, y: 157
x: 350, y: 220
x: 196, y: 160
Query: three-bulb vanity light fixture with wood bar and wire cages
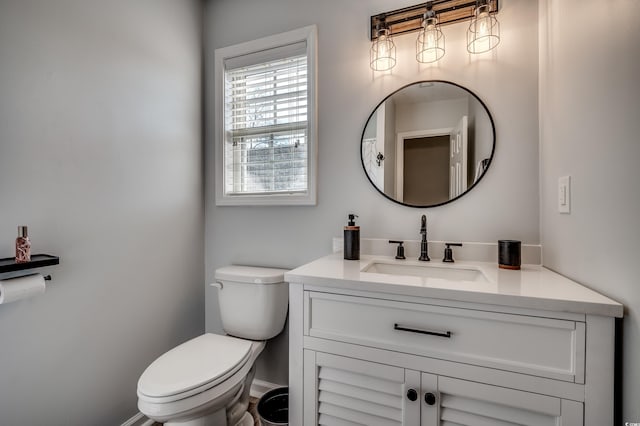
x: 483, y: 33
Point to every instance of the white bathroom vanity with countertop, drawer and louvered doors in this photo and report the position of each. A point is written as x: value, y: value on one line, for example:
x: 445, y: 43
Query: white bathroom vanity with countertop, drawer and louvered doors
x: 381, y: 341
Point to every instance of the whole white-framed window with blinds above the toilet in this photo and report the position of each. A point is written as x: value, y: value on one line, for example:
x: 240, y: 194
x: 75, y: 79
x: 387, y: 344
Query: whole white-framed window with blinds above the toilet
x: 266, y: 121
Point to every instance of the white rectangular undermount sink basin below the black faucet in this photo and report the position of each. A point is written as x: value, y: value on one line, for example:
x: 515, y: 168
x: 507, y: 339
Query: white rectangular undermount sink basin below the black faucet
x: 427, y: 270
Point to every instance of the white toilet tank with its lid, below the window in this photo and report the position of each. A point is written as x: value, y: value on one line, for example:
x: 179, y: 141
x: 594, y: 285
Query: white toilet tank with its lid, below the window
x: 253, y: 301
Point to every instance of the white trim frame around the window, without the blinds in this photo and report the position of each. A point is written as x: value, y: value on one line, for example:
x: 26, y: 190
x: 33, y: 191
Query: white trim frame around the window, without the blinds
x: 308, y: 34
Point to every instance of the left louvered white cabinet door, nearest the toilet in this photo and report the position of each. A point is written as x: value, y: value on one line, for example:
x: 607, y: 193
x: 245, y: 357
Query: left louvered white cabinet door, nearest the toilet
x: 342, y: 391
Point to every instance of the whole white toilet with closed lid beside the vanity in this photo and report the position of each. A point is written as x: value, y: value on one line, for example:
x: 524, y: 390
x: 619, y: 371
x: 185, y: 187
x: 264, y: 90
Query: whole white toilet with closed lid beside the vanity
x: 206, y: 380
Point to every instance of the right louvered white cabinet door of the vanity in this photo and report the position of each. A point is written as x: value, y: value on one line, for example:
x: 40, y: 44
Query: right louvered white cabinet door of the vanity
x: 459, y: 402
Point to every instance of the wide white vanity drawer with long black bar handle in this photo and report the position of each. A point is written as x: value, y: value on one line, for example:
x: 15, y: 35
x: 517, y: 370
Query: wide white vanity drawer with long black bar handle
x: 542, y: 347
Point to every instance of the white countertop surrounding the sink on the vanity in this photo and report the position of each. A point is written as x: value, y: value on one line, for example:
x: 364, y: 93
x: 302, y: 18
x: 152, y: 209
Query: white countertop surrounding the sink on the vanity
x: 533, y: 286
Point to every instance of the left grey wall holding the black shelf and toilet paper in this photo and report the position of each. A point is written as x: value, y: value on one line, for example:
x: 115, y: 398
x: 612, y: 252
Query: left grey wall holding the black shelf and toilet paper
x: 100, y: 155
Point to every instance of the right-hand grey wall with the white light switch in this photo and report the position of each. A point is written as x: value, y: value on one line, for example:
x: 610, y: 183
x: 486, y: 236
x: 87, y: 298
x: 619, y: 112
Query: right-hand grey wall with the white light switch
x: 590, y: 127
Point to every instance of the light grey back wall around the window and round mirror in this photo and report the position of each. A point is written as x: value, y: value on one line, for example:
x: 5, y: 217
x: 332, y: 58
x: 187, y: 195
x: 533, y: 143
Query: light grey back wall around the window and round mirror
x: 506, y: 80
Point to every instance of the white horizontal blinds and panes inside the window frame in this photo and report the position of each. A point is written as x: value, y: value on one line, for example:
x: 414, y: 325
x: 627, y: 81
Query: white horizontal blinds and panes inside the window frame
x: 266, y: 125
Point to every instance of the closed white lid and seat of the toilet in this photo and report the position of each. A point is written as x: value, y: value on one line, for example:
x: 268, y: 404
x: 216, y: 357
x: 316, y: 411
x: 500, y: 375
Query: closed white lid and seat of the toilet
x: 205, y: 360
